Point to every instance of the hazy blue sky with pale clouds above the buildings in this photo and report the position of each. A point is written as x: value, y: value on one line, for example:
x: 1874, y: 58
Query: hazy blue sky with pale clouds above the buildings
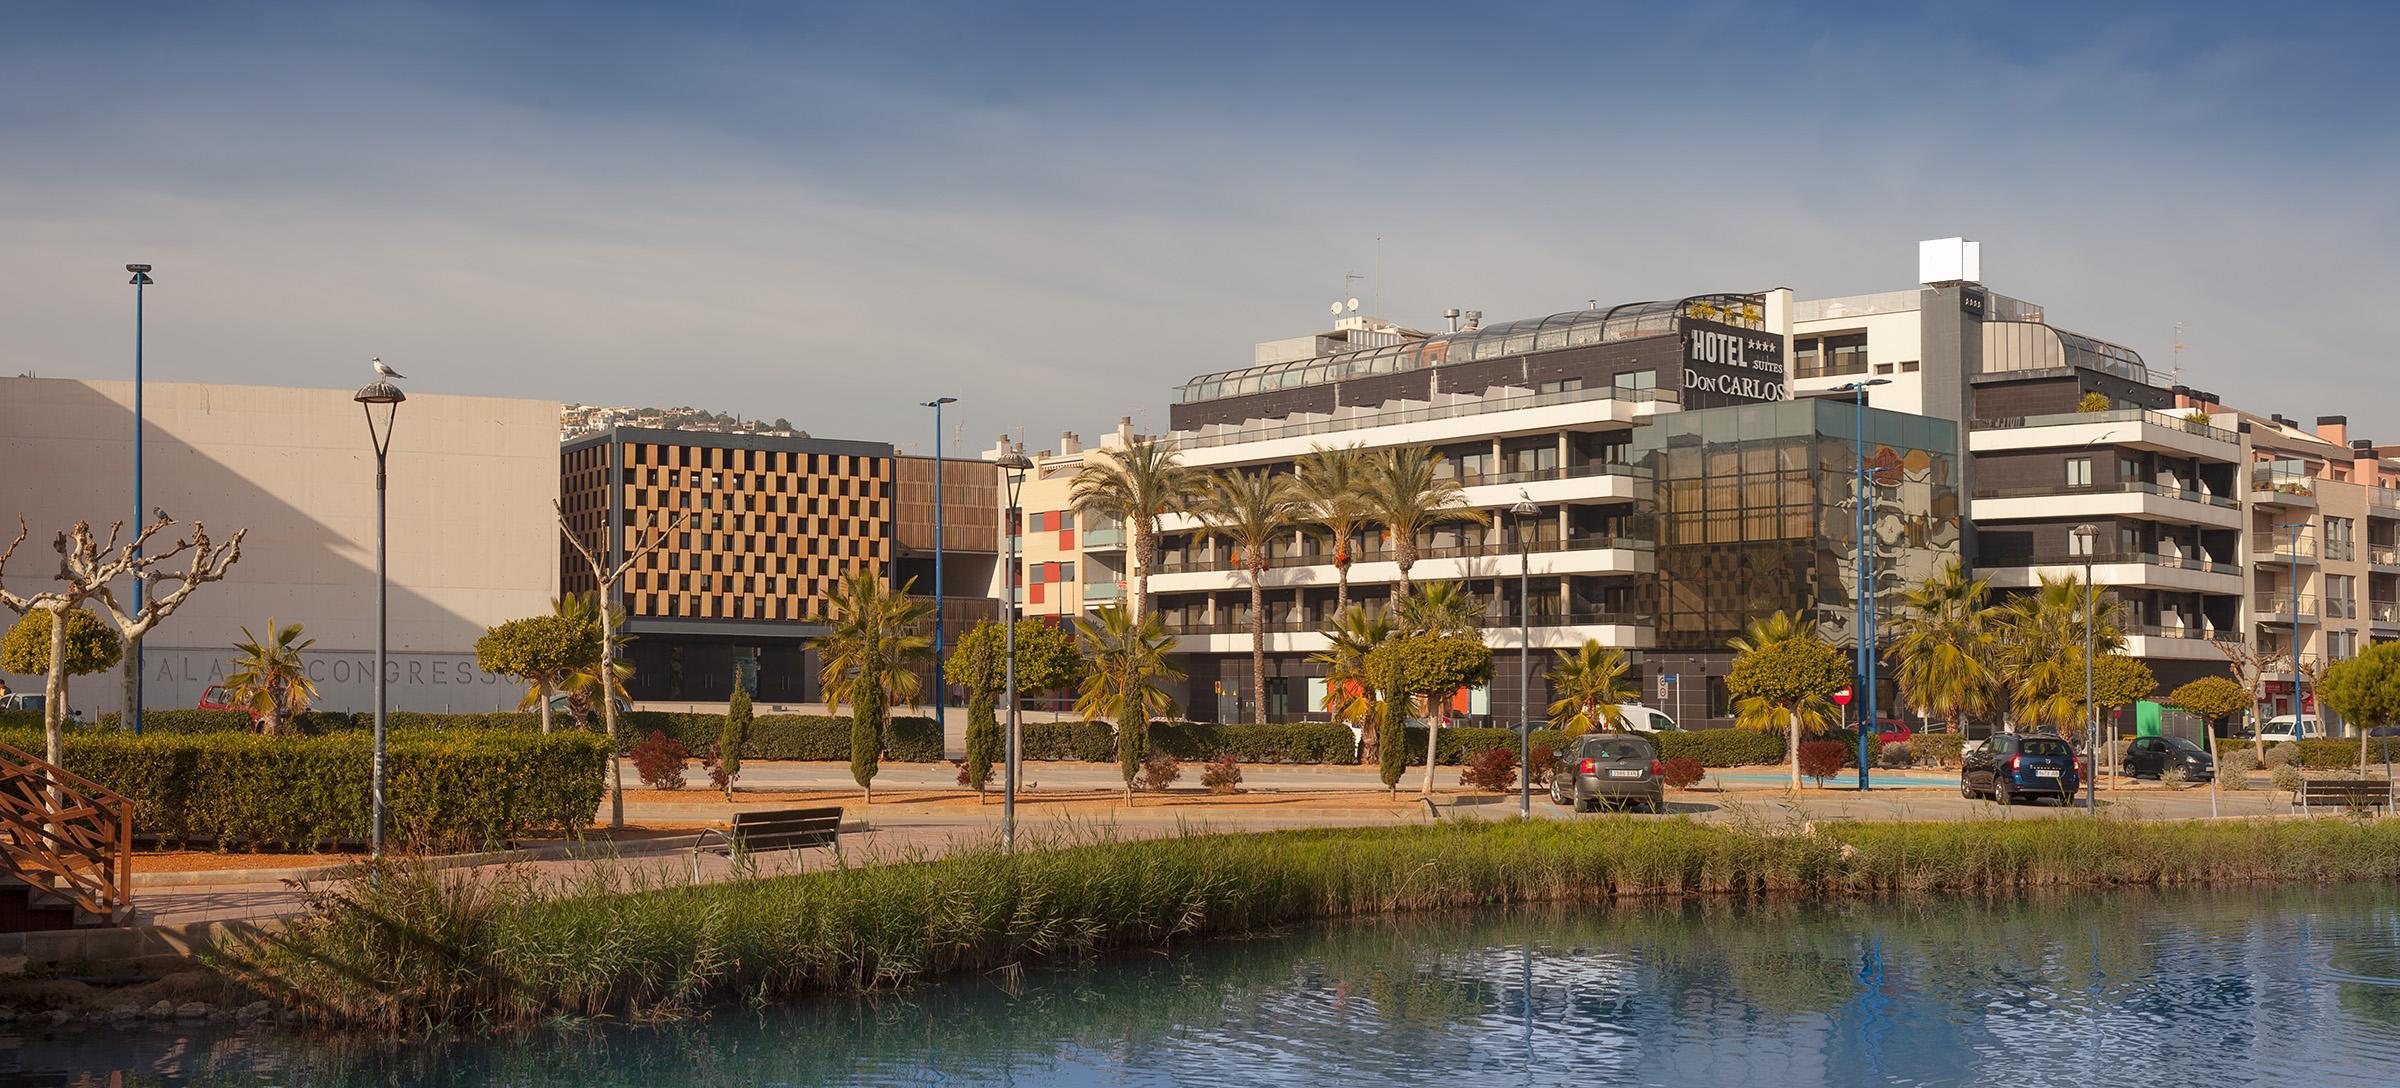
x: 1062, y: 213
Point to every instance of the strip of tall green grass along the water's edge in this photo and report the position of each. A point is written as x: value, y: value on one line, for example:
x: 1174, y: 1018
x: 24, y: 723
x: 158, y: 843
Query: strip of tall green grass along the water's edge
x: 421, y: 950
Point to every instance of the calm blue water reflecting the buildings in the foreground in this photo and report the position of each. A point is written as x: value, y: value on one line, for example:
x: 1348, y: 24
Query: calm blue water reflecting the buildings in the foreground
x: 2288, y: 988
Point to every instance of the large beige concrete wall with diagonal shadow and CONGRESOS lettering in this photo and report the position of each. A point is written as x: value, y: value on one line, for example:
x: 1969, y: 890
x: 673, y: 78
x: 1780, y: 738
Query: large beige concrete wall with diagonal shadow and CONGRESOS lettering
x: 472, y: 527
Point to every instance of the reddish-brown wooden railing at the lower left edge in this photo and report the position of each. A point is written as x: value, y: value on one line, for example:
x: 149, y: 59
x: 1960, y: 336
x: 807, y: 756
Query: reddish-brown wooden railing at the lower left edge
x: 66, y: 835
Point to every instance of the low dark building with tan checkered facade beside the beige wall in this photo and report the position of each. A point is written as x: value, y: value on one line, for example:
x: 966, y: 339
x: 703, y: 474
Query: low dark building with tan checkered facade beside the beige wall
x: 760, y: 534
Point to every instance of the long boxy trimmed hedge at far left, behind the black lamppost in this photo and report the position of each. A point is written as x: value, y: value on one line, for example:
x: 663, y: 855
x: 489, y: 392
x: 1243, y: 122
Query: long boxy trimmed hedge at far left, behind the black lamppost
x: 443, y: 791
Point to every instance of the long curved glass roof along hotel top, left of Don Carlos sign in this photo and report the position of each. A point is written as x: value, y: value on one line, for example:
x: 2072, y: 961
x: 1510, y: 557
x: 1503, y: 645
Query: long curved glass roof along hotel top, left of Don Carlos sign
x: 1568, y: 330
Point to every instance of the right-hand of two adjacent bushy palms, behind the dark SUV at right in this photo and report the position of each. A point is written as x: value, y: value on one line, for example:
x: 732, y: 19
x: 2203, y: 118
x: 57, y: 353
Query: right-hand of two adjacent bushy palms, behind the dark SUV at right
x: 2041, y: 647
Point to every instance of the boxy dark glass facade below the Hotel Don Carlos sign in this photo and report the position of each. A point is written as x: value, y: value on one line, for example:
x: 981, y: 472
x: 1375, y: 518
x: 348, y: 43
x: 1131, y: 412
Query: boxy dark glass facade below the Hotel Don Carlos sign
x: 1756, y: 510
